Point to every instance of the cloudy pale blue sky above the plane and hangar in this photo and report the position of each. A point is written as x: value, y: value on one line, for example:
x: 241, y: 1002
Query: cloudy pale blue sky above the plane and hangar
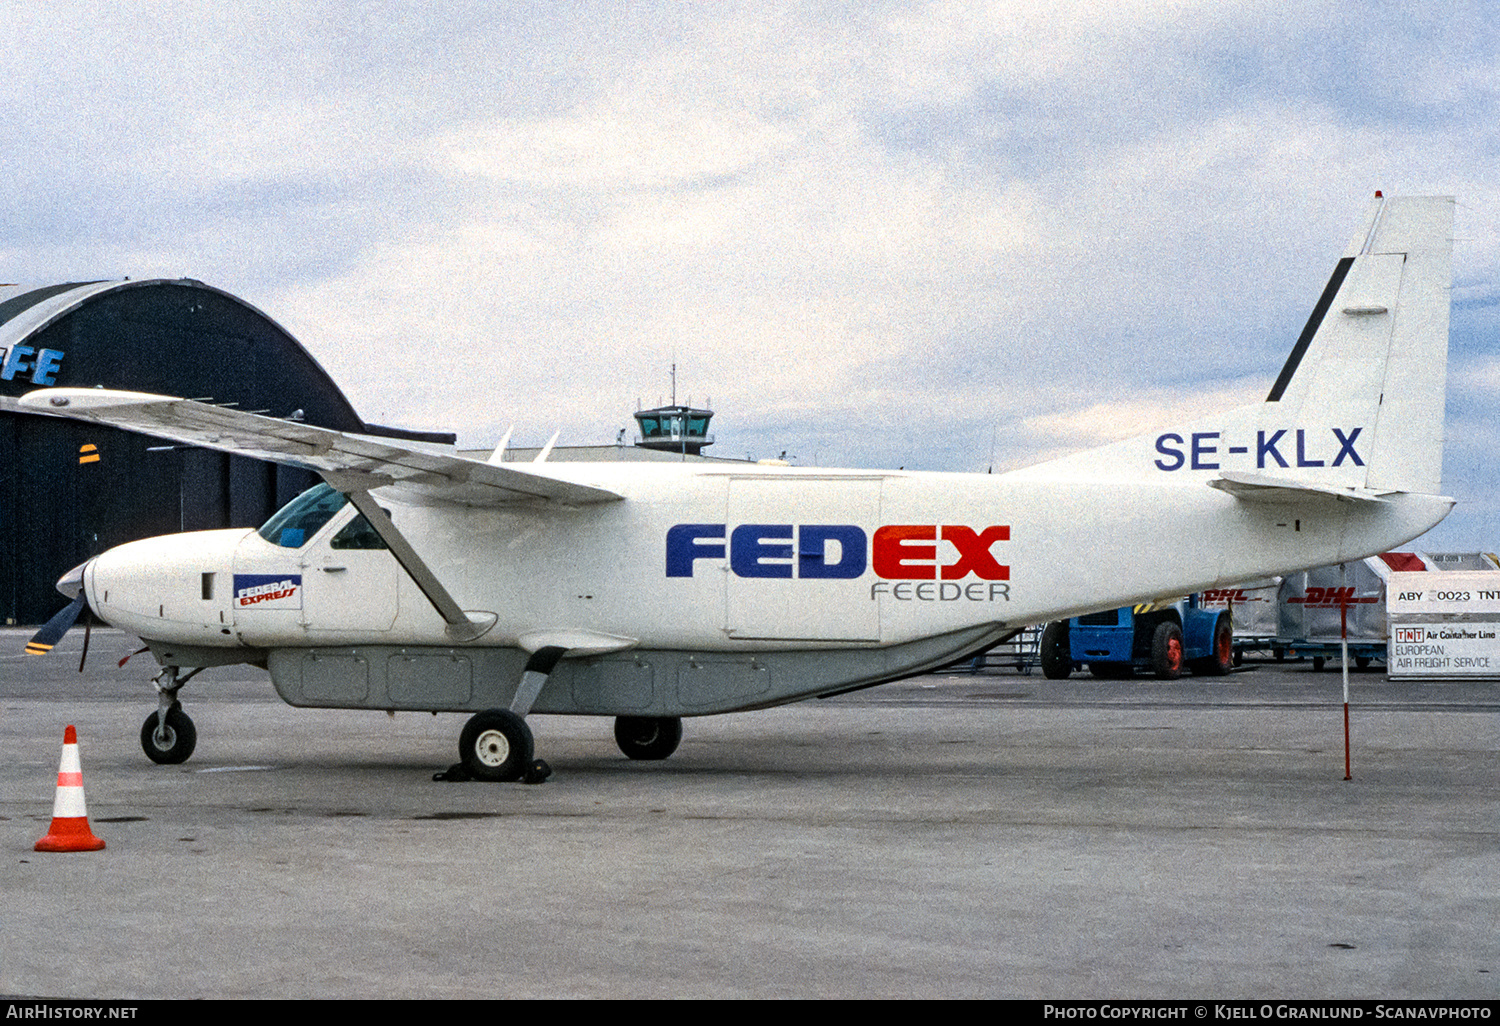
x: 940, y: 236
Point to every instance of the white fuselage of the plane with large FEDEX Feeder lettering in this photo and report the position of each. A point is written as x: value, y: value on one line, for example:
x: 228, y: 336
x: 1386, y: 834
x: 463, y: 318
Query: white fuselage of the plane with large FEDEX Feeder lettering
x: 742, y: 560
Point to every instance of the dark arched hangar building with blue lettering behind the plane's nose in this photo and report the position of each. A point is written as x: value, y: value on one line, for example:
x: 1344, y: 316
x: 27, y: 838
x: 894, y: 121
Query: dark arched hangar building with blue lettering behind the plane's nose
x: 74, y: 490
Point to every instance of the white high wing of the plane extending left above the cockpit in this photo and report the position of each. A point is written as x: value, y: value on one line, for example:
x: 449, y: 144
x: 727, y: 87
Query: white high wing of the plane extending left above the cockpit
x: 347, y: 461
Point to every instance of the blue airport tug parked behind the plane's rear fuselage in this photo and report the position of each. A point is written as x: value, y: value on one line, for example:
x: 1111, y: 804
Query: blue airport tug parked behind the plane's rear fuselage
x: 1163, y: 638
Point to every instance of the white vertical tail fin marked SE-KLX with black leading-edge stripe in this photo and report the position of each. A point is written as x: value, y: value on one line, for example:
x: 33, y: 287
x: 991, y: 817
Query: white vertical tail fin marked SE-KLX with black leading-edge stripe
x: 1358, y: 406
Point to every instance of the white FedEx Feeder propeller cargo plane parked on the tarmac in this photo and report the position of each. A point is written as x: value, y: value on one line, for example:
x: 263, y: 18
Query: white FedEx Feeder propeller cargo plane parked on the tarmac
x: 419, y: 580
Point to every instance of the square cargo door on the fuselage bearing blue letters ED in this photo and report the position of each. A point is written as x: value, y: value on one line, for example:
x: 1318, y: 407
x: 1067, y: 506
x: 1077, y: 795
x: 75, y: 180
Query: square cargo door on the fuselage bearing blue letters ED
x: 799, y: 559
